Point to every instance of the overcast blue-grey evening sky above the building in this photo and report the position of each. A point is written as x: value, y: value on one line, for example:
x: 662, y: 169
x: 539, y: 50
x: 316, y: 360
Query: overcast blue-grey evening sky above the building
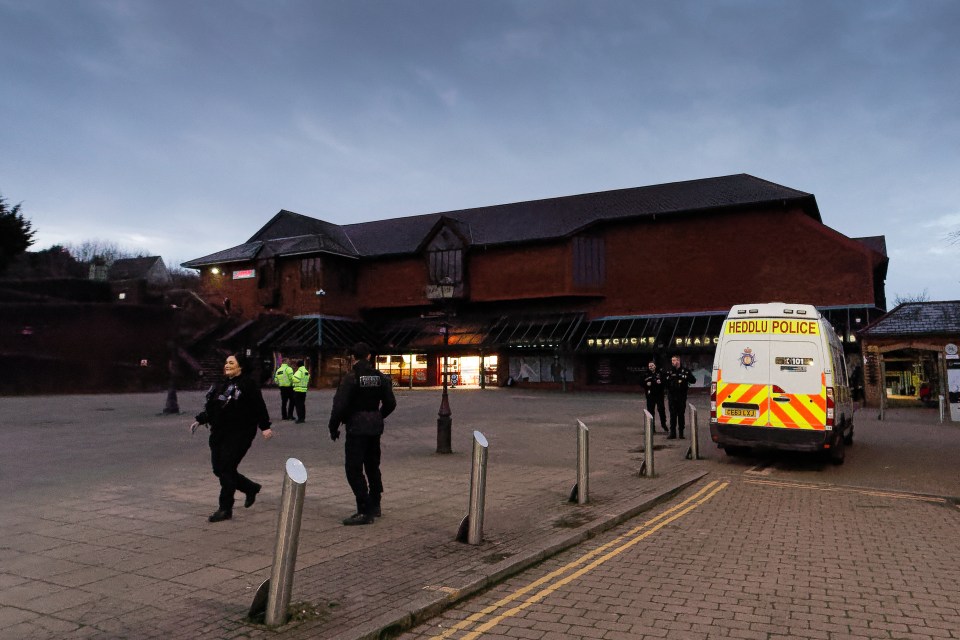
x: 179, y: 127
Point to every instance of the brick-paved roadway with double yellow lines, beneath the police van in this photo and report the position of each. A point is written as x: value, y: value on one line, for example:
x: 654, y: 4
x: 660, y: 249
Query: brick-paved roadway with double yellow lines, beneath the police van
x: 785, y: 554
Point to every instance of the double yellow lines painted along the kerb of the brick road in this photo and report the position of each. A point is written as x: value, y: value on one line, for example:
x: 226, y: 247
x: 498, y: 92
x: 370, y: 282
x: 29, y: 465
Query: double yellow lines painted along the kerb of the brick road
x: 632, y: 537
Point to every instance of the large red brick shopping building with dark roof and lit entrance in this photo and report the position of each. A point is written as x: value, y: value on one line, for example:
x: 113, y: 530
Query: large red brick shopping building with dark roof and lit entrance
x: 580, y: 290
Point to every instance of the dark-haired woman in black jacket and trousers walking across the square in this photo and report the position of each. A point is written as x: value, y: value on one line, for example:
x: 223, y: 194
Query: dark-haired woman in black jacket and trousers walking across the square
x: 234, y: 410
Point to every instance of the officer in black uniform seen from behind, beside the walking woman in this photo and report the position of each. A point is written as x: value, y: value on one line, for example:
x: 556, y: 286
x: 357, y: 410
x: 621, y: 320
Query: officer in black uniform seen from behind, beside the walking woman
x: 362, y: 402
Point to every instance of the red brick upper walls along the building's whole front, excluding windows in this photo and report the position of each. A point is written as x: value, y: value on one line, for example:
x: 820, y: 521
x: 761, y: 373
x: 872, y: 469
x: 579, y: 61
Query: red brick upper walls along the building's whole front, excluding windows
x: 689, y: 263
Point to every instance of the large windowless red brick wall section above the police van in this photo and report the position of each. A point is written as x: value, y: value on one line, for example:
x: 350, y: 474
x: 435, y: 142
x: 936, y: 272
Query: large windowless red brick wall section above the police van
x: 710, y: 262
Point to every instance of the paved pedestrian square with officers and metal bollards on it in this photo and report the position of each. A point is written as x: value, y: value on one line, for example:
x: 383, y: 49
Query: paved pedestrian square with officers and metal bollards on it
x: 103, y: 530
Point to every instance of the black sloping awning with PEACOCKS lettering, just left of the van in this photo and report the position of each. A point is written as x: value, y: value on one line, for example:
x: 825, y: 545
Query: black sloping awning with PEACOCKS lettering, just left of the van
x: 651, y: 333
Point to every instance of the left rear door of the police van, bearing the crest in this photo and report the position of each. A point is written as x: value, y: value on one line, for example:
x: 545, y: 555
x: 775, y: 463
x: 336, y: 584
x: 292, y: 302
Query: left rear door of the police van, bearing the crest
x: 743, y: 382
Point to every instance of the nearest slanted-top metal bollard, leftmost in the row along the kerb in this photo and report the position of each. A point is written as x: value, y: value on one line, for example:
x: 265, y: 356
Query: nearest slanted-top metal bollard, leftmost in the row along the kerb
x: 288, y: 537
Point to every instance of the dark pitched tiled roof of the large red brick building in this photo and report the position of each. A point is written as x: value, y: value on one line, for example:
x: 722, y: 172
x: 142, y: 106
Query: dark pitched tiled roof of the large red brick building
x: 519, y: 222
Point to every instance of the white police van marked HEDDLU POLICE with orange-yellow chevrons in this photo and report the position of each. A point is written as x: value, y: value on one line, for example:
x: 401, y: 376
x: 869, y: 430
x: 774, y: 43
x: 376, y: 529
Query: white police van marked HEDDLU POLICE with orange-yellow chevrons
x: 780, y: 381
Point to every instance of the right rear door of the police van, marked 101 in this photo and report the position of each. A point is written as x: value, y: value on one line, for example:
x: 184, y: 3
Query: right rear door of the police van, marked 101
x: 797, y: 385
